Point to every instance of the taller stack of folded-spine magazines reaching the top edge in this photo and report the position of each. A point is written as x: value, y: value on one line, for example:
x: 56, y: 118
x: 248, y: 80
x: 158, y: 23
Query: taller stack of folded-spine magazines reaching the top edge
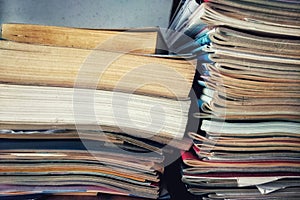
x: 248, y: 146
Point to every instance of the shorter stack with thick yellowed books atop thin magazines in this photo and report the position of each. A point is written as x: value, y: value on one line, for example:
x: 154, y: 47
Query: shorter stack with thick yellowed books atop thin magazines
x: 87, y: 111
